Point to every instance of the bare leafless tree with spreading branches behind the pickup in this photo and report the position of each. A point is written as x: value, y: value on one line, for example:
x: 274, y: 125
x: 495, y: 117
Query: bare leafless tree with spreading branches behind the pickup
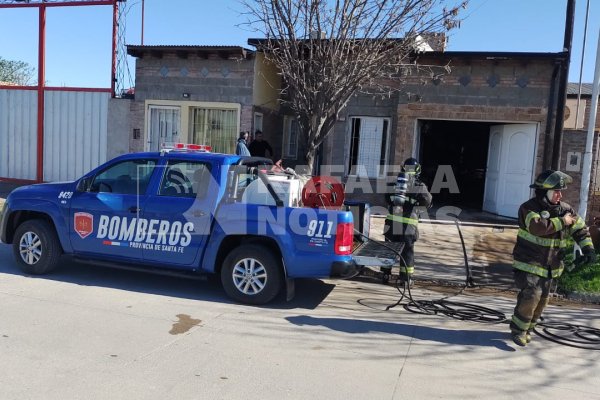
x: 328, y: 50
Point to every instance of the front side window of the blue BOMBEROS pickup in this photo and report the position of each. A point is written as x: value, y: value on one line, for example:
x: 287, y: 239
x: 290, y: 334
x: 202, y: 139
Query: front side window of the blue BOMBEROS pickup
x: 127, y: 177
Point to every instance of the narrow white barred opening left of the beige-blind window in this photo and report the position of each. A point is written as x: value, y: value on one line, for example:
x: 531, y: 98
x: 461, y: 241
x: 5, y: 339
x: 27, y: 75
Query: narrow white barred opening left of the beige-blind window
x: 163, y: 126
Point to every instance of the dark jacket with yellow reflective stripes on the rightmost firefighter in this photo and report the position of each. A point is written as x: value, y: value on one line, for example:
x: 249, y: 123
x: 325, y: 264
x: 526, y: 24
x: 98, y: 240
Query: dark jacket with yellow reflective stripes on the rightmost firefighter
x: 543, y: 237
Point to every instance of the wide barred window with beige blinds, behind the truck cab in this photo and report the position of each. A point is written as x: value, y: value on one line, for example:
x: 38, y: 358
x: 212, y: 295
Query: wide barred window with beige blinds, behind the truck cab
x: 217, y: 128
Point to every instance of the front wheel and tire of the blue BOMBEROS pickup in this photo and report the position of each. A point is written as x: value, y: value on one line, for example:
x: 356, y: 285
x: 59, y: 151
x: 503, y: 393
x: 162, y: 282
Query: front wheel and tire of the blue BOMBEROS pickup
x: 36, y: 247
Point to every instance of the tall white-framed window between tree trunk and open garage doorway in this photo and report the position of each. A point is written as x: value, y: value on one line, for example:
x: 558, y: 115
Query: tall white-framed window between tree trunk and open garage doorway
x: 369, y: 139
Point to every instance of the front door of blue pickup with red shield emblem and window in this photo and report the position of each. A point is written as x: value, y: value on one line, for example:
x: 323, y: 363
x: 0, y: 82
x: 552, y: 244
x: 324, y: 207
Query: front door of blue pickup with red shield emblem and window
x: 104, y: 214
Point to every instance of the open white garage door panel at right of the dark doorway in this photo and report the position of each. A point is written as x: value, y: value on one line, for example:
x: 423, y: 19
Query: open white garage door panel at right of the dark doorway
x: 511, y: 158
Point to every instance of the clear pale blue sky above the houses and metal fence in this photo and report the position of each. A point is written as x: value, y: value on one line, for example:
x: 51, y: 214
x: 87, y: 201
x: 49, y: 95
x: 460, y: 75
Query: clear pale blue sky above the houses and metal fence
x: 78, y: 39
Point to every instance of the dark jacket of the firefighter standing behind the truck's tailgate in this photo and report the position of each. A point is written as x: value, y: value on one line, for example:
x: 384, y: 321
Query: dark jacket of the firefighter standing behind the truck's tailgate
x: 403, y: 219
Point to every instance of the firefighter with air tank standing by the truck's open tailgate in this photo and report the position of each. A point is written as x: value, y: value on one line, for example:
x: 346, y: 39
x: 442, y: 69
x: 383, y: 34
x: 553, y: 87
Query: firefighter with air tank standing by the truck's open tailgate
x: 404, y: 205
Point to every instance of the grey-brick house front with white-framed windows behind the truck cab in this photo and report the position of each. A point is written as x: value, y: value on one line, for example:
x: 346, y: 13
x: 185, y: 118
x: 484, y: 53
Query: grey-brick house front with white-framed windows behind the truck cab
x: 198, y: 94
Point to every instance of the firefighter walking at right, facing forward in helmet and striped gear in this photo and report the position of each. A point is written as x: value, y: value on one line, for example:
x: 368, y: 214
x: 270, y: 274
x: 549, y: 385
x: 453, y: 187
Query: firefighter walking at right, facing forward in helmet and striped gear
x: 546, y: 227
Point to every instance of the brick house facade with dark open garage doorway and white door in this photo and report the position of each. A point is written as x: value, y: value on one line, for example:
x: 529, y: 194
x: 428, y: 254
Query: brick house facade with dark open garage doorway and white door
x: 481, y: 131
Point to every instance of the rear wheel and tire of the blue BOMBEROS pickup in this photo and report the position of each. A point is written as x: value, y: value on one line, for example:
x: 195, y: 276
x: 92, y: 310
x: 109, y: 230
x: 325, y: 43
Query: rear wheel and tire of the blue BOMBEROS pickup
x: 264, y: 280
